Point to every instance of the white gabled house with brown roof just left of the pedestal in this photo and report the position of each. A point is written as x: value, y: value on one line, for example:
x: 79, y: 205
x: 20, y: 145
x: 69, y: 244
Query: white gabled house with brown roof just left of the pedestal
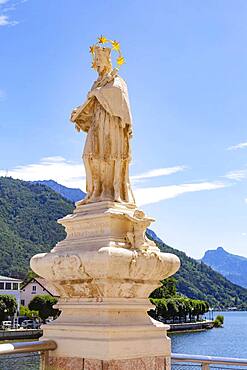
x: 36, y: 286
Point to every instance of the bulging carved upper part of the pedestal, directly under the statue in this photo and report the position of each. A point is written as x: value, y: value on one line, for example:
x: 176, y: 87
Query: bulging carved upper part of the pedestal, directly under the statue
x: 105, y: 254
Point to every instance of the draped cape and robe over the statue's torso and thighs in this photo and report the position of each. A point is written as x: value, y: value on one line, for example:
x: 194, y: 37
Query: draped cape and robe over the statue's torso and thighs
x: 110, y: 122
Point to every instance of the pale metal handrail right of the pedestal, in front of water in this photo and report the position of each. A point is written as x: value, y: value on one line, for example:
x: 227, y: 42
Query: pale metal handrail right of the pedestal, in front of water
x: 207, y: 360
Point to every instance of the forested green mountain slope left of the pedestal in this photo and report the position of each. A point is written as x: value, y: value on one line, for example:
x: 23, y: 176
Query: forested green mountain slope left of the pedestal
x: 28, y: 214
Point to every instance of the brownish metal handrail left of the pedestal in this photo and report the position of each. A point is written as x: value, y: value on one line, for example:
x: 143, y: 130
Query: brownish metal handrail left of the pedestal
x: 27, y: 347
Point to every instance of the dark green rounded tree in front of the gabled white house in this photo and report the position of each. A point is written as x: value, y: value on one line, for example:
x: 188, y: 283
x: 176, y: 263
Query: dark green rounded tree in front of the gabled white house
x: 44, y: 305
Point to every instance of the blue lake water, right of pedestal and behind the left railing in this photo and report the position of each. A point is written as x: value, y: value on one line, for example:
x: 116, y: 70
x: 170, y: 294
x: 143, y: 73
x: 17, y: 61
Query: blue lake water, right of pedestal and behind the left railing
x: 230, y: 341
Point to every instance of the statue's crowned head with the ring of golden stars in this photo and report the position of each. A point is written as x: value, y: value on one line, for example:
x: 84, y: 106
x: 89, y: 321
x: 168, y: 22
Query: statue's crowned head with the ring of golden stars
x: 101, y: 55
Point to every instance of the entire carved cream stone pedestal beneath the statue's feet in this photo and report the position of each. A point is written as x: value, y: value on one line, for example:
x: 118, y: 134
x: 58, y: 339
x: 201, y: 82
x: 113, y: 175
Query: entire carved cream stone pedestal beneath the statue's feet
x: 104, y: 271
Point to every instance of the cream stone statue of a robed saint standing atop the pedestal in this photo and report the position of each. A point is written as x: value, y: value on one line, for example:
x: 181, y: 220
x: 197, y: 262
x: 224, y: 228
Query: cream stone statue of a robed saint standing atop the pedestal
x: 106, y: 118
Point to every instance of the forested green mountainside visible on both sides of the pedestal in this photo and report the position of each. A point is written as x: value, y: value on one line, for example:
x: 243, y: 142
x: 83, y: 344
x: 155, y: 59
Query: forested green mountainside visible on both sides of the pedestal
x: 28, y: 214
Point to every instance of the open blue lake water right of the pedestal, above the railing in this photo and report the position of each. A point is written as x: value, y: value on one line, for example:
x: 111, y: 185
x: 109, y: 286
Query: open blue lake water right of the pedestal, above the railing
x: 230, y: 341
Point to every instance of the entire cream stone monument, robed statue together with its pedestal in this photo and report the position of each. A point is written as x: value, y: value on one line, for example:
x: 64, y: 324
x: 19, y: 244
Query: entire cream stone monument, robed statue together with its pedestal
x: 105, y: 268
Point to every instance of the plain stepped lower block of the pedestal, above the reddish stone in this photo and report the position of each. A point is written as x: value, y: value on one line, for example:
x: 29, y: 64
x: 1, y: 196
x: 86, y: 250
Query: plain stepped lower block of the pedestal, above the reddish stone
x: 107, y: 329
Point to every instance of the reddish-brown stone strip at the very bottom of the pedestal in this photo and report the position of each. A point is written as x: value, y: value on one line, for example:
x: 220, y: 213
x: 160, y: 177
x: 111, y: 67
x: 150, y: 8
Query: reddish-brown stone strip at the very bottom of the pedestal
x: 144, y: 363
